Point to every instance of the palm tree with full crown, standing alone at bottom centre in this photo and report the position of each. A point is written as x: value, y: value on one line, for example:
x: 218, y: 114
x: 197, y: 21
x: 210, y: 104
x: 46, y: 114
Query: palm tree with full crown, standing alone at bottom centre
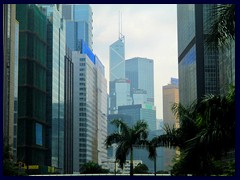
x: 127, y: 138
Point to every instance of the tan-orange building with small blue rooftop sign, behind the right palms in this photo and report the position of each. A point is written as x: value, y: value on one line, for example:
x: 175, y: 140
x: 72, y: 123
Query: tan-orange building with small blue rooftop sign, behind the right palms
x: 170, y: 96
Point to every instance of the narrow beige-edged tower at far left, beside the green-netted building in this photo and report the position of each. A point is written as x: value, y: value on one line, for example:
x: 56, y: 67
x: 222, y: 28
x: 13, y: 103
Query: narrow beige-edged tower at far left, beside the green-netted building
x: 10, y: 75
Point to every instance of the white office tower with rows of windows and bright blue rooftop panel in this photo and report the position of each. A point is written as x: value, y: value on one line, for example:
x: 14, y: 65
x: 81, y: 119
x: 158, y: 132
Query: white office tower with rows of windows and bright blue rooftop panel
x: 90, y: 108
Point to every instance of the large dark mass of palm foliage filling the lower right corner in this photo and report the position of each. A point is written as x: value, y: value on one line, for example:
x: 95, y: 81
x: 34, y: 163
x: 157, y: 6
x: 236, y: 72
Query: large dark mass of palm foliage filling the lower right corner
x: 206, y: 134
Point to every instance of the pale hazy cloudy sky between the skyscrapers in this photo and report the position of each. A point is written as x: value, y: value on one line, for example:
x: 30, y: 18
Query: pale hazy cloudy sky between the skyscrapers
x: 150, y: 31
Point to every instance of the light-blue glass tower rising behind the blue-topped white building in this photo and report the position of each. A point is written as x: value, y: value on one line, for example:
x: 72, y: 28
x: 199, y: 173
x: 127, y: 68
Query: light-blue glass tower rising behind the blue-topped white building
x: 78, y: 25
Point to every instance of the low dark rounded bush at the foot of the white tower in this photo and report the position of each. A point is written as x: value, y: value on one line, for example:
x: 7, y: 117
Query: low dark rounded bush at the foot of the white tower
x: 92, y: 168
